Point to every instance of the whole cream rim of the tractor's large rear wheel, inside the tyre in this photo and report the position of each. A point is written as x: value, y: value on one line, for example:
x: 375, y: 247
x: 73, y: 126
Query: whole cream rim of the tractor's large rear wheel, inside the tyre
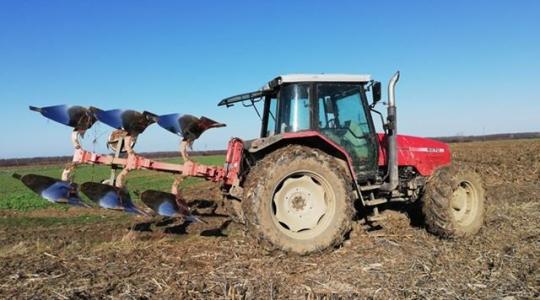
x: 302, y: 205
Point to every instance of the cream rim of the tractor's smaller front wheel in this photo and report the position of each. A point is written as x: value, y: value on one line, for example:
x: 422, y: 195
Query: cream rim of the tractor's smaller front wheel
x: 465, y: 203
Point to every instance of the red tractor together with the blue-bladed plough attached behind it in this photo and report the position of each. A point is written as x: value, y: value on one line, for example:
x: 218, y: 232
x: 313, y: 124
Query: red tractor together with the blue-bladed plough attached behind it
x: 298, y: 187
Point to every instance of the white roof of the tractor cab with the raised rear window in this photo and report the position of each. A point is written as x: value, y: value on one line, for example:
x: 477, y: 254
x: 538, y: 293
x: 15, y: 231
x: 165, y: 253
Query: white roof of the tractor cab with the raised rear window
x: 290, y: 78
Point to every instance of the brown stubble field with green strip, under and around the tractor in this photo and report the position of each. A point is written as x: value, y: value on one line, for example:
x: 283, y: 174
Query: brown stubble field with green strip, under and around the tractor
x: 51, y: 252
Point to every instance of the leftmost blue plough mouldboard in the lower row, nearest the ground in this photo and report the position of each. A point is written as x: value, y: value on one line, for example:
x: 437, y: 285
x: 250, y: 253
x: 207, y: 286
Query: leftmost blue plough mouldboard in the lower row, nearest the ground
x: 52, y: 189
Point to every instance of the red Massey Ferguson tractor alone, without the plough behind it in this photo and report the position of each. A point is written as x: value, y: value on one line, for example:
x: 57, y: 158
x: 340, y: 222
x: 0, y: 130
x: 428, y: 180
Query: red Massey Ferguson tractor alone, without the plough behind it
x: 318, y: 154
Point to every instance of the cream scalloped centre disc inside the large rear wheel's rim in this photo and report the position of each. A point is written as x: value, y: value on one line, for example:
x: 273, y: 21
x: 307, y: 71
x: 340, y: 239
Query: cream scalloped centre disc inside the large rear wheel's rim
x: 300, y: 203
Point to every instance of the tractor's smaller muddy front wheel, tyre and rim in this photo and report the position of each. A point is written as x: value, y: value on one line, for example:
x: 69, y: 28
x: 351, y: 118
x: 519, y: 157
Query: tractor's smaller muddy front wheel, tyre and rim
x: 453, y: 202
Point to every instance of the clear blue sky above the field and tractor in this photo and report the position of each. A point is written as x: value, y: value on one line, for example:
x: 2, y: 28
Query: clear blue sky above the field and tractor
x: 468, y: 67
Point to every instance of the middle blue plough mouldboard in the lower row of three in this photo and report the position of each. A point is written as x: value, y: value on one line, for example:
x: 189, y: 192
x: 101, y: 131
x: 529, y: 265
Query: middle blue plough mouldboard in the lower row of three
x: 110, y: 197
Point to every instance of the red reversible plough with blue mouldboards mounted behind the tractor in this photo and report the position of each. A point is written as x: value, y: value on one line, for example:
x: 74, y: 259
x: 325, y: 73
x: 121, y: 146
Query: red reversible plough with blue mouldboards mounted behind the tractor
x: 128, y: 125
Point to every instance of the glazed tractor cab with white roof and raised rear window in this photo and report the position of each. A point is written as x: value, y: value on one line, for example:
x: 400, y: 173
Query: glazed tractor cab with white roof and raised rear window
x: 335, y: 105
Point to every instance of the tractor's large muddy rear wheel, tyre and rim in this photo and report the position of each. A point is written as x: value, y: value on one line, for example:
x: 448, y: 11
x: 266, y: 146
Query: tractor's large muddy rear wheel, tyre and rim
x: 298, y: 199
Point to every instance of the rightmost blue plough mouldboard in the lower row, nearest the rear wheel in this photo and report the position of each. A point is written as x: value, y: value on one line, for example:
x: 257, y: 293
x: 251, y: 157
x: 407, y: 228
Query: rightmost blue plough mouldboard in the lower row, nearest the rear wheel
x: 167, y: 205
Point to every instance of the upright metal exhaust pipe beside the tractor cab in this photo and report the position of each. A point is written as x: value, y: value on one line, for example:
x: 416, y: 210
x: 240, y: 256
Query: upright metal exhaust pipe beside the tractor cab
x: 391, y: 138
